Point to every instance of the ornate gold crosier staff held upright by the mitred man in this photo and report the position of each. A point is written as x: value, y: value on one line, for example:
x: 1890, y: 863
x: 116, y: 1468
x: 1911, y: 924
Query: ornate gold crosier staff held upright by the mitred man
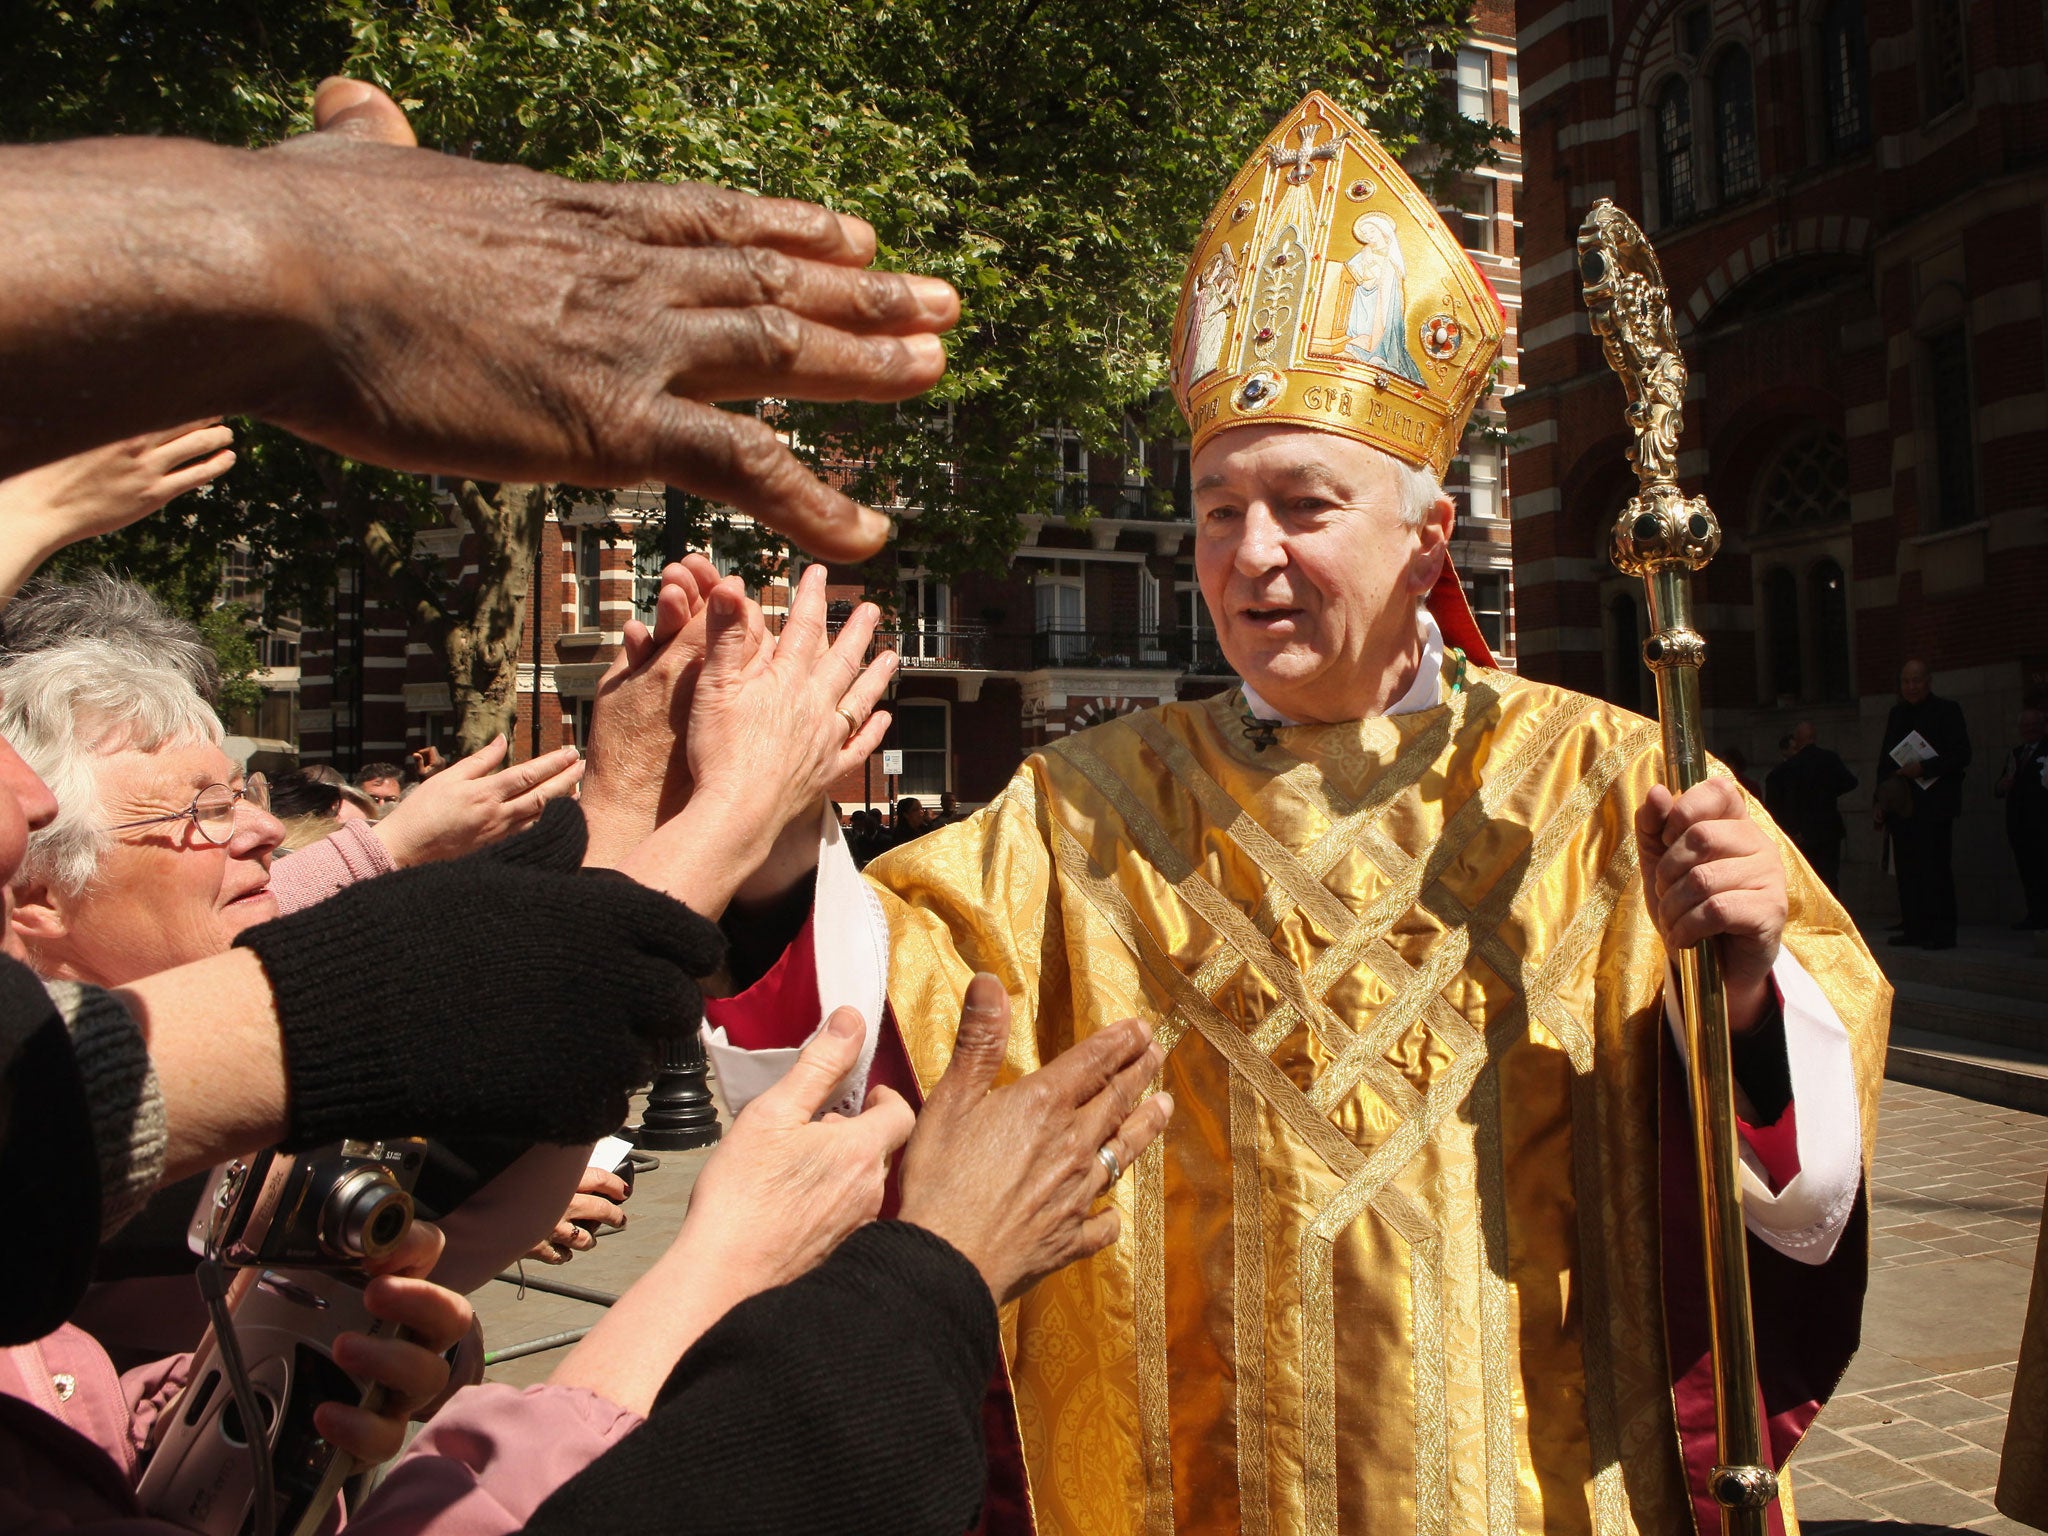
x: 1664, y: 538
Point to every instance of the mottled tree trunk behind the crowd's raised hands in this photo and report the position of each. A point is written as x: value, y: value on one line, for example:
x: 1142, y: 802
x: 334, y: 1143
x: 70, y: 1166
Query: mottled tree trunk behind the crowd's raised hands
x: 482, y: 646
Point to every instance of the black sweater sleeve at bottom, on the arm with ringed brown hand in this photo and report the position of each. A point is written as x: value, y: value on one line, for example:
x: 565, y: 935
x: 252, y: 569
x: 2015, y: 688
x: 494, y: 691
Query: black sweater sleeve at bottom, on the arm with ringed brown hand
x: 845, y: 1402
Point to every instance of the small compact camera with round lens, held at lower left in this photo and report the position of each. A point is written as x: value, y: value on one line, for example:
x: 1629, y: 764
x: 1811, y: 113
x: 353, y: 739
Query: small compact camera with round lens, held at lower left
x: 329, y: 1209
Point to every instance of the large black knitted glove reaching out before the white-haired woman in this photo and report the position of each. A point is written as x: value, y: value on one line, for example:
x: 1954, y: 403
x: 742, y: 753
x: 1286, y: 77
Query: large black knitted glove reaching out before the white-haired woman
x: 503, y: 994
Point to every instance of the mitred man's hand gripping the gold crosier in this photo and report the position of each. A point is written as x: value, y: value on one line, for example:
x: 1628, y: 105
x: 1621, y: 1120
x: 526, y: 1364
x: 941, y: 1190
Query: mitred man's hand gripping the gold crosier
x: 1711, y: 871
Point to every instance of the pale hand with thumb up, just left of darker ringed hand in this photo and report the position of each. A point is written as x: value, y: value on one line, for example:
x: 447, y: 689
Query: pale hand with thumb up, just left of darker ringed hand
x: 783, y: 1189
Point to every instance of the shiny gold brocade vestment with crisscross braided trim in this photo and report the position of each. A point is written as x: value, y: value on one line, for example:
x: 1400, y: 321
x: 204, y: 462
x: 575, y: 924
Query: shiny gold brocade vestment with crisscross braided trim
x: 1392, y: 1267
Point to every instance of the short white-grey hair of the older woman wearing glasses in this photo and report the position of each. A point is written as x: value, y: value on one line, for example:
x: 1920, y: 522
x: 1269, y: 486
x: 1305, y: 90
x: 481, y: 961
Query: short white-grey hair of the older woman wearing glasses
x: 79, y: 697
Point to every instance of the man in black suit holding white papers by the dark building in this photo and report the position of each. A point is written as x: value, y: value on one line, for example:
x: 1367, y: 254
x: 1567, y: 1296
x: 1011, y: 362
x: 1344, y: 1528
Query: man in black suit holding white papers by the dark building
x: 1918, y: 806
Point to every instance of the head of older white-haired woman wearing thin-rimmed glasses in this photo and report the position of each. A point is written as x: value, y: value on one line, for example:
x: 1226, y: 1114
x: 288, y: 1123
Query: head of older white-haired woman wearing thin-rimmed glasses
x: 161, y: 851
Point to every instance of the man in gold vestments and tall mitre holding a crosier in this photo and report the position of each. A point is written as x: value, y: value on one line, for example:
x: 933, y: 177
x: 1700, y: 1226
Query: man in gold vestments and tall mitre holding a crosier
x: 1412, y: 1254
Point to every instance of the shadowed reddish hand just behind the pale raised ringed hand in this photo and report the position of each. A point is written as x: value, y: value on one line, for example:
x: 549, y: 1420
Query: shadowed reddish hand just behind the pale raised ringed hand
x: 638, y: 775
